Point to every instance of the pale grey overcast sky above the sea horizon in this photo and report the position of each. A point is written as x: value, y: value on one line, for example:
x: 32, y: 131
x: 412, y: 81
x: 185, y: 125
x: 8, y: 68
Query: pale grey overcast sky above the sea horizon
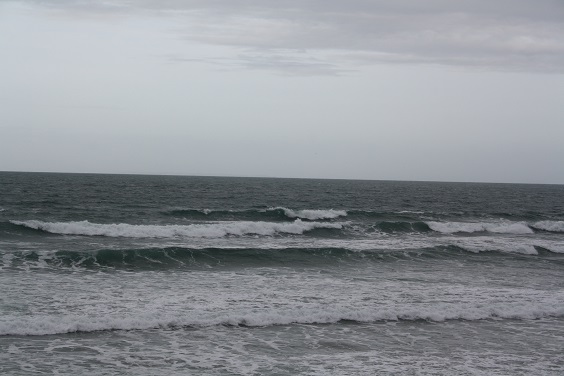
x: 441, y: 90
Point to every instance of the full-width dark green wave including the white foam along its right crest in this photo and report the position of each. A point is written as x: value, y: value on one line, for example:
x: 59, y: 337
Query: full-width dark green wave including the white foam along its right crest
x: 327, y: 253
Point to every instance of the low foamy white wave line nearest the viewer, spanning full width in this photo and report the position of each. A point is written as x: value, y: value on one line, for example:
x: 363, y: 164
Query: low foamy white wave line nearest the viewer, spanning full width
x: 49, y: 325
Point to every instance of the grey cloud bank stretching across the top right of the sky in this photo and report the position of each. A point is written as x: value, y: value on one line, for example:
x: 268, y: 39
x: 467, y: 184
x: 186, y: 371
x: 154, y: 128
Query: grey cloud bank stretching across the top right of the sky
x: 514, y: 35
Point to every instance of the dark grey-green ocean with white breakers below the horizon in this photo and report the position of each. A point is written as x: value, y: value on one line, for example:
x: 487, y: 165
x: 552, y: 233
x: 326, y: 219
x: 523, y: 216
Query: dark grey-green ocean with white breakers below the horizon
x: 179, y: 275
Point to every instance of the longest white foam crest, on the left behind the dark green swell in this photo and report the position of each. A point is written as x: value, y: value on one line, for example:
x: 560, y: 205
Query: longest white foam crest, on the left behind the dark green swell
x: 207, y: 230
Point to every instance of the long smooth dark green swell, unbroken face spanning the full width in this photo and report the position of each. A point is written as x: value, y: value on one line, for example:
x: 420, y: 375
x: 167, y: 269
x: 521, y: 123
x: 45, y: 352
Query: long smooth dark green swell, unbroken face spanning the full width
x: 198, y: 258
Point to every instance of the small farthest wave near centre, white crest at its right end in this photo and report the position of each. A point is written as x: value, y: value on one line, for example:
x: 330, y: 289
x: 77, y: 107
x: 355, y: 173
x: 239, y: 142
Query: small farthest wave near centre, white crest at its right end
x: 274, y: 213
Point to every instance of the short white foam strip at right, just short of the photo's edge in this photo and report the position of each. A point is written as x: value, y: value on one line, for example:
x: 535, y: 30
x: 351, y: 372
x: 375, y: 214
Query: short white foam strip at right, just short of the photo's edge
x: 496, y: 227
